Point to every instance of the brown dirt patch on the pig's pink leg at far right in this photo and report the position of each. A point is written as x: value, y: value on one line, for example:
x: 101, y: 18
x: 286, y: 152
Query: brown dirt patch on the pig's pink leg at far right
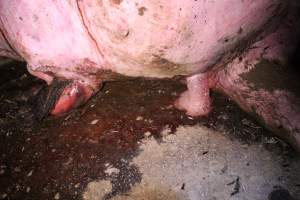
x: 271, y: 75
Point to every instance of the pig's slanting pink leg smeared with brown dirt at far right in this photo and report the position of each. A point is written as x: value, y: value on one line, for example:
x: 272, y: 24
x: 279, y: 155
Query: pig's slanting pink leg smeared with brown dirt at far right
x: 260, y: 81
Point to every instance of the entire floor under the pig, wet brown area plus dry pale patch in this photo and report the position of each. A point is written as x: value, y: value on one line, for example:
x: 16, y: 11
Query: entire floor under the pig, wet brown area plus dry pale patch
x: 129, y: 142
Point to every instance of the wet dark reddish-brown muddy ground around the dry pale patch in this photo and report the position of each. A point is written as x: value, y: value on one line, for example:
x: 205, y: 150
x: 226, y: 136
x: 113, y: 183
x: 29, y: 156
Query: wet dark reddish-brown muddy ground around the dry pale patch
x: 56, y: 158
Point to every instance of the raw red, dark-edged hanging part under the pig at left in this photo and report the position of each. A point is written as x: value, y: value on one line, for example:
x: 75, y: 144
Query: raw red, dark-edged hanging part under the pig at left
x: 61, y: 97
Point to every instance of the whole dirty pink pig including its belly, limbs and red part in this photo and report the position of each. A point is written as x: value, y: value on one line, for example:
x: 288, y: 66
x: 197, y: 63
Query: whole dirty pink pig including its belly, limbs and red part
x: 77, y: 45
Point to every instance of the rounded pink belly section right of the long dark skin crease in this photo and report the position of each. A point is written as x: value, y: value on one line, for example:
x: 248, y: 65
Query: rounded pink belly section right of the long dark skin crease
x: 165, y: 38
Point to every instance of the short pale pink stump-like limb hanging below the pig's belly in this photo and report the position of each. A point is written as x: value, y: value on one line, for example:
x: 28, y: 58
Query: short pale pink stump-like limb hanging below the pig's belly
x: 196, y: 100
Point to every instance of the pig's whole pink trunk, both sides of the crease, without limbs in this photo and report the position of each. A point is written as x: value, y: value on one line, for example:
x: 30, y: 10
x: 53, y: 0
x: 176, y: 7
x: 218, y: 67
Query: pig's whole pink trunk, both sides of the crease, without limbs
x: 152, y: 38
